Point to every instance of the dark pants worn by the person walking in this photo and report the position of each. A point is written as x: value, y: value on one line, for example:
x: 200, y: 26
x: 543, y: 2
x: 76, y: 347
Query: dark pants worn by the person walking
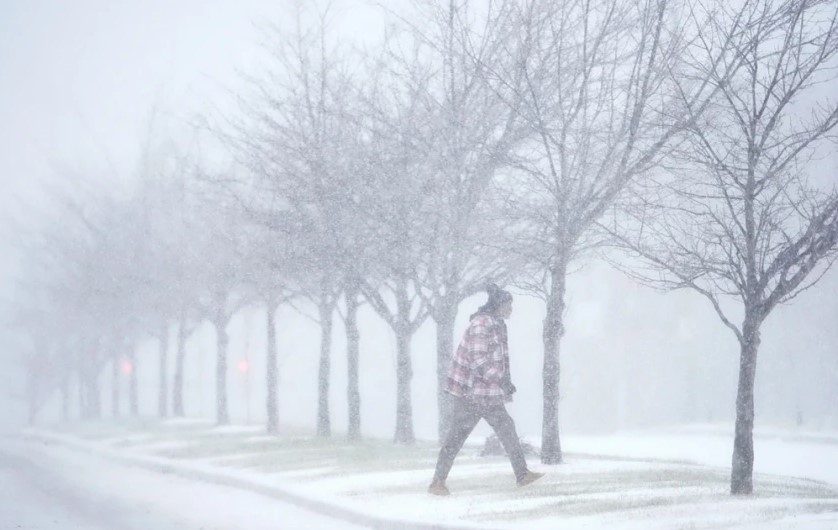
x: 464, y: 417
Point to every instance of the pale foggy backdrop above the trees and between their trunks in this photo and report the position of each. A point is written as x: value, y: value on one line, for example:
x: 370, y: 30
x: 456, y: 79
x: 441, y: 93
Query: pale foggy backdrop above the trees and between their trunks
x: 79, y: 81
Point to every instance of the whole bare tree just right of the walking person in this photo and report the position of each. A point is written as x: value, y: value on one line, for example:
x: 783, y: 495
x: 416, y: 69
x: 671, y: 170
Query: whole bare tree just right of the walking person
x: 607, y: 88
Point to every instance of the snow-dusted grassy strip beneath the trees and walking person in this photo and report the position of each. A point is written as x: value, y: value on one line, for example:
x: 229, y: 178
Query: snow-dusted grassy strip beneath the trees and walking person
x: 605, y: 481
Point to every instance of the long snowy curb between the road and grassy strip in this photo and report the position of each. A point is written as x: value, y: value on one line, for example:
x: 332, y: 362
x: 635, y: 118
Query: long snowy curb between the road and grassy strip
x: 184, y: 470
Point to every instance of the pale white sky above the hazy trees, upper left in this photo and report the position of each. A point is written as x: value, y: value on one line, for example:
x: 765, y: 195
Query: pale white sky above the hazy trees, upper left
x: 78, y: 80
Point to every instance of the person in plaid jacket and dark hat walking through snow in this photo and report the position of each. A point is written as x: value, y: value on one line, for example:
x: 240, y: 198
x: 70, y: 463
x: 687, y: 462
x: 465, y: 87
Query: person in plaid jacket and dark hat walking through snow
x: 480, y: 383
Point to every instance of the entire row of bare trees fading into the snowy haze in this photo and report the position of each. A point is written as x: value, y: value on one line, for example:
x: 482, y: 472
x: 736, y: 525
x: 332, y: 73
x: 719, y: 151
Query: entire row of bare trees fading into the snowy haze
x: 504, y: 141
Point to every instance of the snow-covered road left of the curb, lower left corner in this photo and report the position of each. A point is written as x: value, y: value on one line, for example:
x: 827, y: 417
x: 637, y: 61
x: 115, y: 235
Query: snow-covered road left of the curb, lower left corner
x: 58, y: 488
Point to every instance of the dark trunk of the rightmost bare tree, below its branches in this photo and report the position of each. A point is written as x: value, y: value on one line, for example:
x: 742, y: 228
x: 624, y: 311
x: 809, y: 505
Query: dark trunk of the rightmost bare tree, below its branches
x: 742, y: 469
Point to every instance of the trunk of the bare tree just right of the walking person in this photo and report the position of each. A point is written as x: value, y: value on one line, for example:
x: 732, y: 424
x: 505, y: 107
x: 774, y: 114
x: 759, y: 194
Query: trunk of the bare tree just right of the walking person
x: 551, y: 449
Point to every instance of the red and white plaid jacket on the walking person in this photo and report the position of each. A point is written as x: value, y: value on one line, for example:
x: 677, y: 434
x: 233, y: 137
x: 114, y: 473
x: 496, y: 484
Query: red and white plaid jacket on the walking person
x: 481, y: 362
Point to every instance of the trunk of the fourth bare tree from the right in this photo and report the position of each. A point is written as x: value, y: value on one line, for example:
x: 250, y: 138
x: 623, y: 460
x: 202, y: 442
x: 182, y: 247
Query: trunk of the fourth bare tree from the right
x: 404, y: 372
